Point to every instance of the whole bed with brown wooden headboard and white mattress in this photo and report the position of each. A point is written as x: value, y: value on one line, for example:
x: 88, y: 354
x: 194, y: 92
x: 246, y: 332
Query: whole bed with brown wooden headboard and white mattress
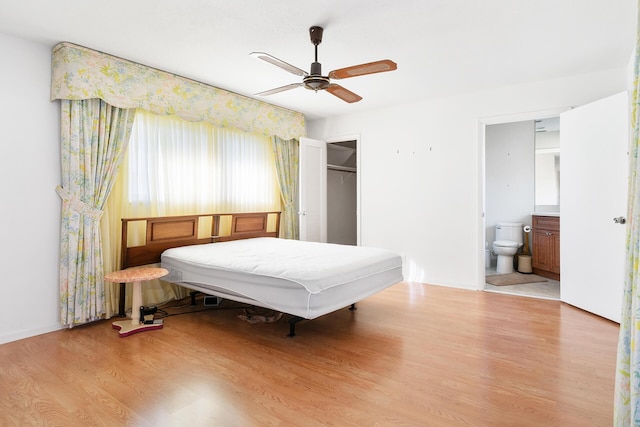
x: 243, y: 260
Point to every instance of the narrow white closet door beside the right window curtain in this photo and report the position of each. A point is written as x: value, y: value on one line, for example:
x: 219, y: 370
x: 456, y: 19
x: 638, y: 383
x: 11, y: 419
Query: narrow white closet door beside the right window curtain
x: 313, y: 190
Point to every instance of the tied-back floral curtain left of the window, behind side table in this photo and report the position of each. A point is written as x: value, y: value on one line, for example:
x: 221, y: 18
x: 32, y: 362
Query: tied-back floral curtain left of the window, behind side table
x: 93, y: 137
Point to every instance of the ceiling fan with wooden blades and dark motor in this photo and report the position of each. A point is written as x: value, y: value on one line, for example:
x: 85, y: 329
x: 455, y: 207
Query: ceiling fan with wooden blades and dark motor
x: 314, y: 80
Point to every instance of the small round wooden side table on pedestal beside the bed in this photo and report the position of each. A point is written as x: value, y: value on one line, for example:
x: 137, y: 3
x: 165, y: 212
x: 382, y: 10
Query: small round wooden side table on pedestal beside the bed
x: 135, y: 275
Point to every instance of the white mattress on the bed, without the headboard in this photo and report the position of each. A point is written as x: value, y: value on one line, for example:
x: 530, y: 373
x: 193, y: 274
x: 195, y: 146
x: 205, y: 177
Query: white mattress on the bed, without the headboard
x: 306, y: 279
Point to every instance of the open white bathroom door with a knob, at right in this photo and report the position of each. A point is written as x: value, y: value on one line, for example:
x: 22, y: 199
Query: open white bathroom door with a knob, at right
x: 593, y: 191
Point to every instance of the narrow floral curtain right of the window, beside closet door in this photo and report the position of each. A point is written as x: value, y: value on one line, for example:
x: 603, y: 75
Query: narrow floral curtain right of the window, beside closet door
x: 286, y: 155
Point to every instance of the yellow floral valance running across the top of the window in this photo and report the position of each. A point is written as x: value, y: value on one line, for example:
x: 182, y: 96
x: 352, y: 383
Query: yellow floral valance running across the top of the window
x: 82, y: 73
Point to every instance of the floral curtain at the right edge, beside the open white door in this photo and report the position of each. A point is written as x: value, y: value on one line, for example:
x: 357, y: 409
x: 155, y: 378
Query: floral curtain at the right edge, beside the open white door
x: 627, y: 388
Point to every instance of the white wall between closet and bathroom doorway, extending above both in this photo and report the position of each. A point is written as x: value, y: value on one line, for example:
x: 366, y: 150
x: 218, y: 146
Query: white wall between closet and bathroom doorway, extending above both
x: 421, y: 187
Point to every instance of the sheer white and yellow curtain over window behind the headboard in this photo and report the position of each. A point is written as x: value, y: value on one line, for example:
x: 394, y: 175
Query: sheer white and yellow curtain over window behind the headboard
x: 175, y: 167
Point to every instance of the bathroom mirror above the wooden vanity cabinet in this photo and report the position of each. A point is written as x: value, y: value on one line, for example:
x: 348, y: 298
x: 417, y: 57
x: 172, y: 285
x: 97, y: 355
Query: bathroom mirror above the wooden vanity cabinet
x: 547, y: 164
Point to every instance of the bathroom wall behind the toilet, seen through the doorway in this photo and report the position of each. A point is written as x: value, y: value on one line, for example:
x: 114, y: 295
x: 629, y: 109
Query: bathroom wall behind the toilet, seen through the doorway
x: 509, y: 175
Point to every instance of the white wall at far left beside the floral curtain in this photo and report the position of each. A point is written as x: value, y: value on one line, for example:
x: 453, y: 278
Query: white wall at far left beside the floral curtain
x: 29, y: 173
